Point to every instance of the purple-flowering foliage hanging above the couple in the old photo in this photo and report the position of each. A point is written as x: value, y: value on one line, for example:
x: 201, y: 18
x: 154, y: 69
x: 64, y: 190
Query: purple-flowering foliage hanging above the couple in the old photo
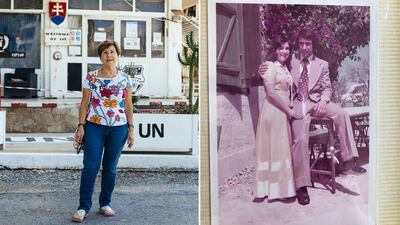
x: 341, y: 30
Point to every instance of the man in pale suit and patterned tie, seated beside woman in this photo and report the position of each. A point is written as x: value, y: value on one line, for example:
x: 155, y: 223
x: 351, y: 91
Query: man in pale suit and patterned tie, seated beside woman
x: 312, y: 98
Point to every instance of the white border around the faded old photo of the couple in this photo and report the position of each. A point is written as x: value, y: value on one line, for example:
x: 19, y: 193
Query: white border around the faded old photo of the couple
x: 212, y: 87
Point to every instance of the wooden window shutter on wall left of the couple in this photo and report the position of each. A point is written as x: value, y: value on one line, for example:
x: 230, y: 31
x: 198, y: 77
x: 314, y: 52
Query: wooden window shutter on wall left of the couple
x: 238, y: 46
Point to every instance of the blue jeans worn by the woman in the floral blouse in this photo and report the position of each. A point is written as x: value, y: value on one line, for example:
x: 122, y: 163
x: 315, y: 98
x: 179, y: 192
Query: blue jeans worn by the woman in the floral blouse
x: 97, y: 138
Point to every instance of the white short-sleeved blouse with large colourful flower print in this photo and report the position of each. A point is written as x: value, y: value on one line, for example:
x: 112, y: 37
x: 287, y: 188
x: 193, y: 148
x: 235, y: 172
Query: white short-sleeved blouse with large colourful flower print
x: 108, y: 98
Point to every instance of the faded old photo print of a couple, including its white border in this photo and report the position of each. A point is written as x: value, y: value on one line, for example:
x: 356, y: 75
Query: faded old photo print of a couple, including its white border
x: 292, y: 103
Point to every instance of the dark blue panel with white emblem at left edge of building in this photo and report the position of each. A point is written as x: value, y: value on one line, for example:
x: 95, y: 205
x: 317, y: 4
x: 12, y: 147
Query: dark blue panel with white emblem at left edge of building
x: 20, y: 37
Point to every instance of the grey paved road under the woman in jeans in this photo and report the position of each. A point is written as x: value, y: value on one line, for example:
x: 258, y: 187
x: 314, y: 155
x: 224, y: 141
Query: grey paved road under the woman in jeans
x: 47, y: 197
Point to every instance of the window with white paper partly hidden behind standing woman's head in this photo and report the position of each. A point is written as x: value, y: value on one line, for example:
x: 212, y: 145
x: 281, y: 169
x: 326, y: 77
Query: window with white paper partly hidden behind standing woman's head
x: 99, y: 31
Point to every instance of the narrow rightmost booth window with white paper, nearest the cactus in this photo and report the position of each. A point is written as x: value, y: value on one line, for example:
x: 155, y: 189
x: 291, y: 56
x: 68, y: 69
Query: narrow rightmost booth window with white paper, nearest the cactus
x: 157, y: 38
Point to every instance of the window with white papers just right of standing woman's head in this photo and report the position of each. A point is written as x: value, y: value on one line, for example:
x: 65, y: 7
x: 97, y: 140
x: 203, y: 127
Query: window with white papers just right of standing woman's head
x: 133, y: 38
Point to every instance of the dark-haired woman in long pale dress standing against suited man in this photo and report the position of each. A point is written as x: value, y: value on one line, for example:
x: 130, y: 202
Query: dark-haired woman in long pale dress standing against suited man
x: 274, y: 173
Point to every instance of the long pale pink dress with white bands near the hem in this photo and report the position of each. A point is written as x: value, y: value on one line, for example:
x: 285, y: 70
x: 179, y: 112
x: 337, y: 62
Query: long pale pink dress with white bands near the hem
x: 274, y: 172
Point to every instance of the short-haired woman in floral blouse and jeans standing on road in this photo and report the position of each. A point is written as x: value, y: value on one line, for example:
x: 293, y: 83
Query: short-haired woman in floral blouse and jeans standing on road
x: 106, y: 122
